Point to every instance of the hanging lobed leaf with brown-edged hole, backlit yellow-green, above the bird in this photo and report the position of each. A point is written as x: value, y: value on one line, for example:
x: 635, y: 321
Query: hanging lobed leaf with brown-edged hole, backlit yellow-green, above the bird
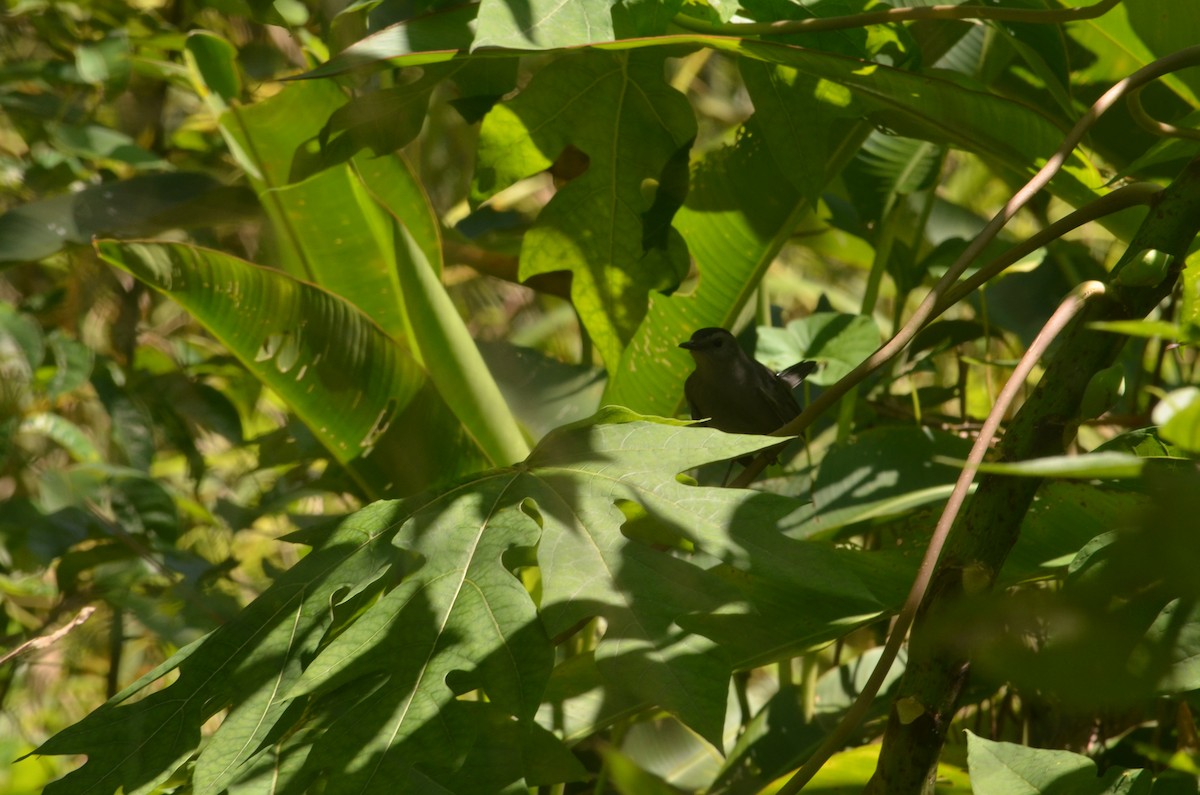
x: 602, y: 226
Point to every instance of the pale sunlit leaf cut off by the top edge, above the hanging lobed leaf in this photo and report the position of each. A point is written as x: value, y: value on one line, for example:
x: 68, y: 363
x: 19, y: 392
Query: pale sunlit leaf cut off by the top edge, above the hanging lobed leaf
x: 543, y: 25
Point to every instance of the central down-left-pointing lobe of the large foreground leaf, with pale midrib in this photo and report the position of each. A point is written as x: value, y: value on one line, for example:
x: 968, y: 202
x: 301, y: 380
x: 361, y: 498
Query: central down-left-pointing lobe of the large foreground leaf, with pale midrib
x: 463, y: 613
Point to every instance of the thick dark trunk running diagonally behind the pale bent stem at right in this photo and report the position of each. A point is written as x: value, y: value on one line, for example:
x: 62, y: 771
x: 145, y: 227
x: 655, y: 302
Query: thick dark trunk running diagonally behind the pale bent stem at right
x: 976, y: 551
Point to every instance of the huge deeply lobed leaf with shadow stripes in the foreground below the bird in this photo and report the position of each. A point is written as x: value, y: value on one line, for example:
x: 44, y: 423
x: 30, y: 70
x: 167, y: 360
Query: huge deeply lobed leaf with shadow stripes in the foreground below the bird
x: 357, y: 667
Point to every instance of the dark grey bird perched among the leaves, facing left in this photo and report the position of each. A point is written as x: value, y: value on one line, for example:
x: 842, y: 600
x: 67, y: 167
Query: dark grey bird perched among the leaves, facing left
x: 735, y: 393
